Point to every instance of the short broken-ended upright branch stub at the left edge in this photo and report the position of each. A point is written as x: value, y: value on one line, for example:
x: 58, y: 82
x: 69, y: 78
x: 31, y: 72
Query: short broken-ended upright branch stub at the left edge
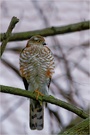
x: 6, y: 36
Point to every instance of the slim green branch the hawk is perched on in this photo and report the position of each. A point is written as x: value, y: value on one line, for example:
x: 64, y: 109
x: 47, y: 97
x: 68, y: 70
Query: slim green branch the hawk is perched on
x: 49, y: 99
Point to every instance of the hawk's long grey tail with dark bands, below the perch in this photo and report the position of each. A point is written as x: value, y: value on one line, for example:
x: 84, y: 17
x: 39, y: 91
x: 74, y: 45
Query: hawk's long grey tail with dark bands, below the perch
x: 36, y: 115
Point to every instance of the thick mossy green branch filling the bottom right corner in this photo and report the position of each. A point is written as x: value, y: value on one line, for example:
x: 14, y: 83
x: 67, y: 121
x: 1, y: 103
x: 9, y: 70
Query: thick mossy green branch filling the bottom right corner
x: 81, y: 128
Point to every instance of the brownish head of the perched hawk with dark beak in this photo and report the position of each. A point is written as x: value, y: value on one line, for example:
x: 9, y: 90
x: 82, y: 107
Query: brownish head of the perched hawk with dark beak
x: 36, y: 40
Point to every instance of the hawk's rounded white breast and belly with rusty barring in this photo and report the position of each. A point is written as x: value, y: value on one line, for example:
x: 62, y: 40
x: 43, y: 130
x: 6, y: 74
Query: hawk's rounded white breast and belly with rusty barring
x: 36, y: 63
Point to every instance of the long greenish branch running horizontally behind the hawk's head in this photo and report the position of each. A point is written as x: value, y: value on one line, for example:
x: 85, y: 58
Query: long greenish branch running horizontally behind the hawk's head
x: 49, y: 31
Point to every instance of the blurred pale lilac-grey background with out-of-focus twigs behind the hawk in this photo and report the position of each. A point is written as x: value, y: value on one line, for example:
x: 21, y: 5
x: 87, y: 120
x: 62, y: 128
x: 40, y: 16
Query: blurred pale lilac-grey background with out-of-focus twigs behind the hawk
x: 70, y: 83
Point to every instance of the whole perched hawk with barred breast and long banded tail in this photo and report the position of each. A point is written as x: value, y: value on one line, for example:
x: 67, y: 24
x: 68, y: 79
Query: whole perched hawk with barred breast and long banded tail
x: 36, y: 69
